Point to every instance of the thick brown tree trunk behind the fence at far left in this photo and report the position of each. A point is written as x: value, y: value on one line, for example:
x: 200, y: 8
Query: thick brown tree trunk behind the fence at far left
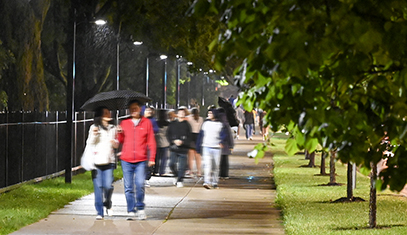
x: 21, y: 30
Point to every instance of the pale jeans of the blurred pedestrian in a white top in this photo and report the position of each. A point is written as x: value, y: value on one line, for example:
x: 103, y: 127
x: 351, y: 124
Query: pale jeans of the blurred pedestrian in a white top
x: 211, y: 159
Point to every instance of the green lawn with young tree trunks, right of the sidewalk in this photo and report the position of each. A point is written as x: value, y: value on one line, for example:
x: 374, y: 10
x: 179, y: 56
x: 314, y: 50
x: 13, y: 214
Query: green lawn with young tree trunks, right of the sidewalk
x: 307, y: 207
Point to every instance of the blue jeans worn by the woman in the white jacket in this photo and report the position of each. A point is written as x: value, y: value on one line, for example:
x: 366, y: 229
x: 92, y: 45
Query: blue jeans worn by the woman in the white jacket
x: 102, y: 179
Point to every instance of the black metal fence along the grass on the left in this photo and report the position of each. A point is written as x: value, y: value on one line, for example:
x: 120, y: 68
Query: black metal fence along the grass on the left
x: 33, y: 144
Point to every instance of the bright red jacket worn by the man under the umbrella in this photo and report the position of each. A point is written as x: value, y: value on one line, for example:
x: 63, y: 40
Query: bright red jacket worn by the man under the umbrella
x: 136, y: 140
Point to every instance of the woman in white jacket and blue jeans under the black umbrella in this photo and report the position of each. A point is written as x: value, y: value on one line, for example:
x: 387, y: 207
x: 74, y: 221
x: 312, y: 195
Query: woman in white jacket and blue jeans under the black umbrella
x: 102, y: 137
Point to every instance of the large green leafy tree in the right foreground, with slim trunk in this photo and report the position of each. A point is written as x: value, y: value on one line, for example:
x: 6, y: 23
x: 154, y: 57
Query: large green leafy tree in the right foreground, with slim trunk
x: 333, y: 71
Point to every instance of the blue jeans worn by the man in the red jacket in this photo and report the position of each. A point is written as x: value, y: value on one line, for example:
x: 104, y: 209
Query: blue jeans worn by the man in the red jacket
x: 134, y: 174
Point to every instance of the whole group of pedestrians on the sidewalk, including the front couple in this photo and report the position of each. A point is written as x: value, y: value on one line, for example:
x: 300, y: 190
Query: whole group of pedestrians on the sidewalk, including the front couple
x: 145, y: 144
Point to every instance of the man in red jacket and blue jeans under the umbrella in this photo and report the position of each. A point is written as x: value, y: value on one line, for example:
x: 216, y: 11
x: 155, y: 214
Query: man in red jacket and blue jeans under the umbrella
x: 136, y: 134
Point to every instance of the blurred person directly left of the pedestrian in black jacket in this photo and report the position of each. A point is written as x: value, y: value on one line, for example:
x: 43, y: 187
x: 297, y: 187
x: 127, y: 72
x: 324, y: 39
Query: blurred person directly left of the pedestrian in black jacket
x: 162, y: 144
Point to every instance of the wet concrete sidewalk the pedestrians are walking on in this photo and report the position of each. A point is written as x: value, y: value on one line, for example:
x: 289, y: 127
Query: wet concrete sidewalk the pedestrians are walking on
x: 243, y: 204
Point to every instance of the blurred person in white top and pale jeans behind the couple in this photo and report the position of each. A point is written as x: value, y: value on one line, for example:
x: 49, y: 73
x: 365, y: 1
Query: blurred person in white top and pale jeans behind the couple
x: 210, y: 141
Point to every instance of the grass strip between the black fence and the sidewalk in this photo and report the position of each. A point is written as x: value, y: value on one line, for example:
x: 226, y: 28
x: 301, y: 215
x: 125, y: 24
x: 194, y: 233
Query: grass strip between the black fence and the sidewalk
x: 33, y: 202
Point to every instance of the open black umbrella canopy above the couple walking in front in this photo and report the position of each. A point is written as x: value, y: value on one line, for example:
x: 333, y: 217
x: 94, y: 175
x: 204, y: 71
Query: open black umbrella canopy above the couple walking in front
x: 114, y: 100
